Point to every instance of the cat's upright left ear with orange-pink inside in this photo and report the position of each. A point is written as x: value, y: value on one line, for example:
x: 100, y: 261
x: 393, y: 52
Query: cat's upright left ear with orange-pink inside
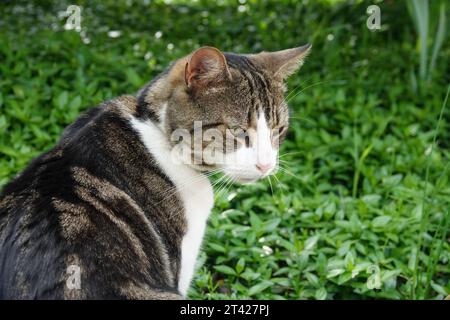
x: 205, y: 65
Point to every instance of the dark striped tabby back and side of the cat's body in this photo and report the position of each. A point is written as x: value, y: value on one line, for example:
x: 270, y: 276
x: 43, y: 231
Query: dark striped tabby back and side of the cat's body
x: 85, y: 203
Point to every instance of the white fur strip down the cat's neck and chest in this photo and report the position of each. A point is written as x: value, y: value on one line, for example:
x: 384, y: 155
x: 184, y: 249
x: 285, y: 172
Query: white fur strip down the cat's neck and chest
x: 194, y: 189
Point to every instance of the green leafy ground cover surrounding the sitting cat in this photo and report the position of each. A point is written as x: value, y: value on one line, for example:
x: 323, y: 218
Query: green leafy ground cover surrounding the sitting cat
x: 360, y: 206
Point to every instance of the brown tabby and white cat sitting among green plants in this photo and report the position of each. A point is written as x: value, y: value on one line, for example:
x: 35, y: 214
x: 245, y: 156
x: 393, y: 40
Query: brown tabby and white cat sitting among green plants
x: 112, y: 212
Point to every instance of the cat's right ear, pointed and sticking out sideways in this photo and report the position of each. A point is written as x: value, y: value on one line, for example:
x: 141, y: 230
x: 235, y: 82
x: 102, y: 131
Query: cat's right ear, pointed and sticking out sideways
x: 283, y: 63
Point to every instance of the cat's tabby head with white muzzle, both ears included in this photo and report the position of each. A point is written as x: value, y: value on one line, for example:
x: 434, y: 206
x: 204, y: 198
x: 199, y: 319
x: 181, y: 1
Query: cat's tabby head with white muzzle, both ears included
x: 226, y: 111
